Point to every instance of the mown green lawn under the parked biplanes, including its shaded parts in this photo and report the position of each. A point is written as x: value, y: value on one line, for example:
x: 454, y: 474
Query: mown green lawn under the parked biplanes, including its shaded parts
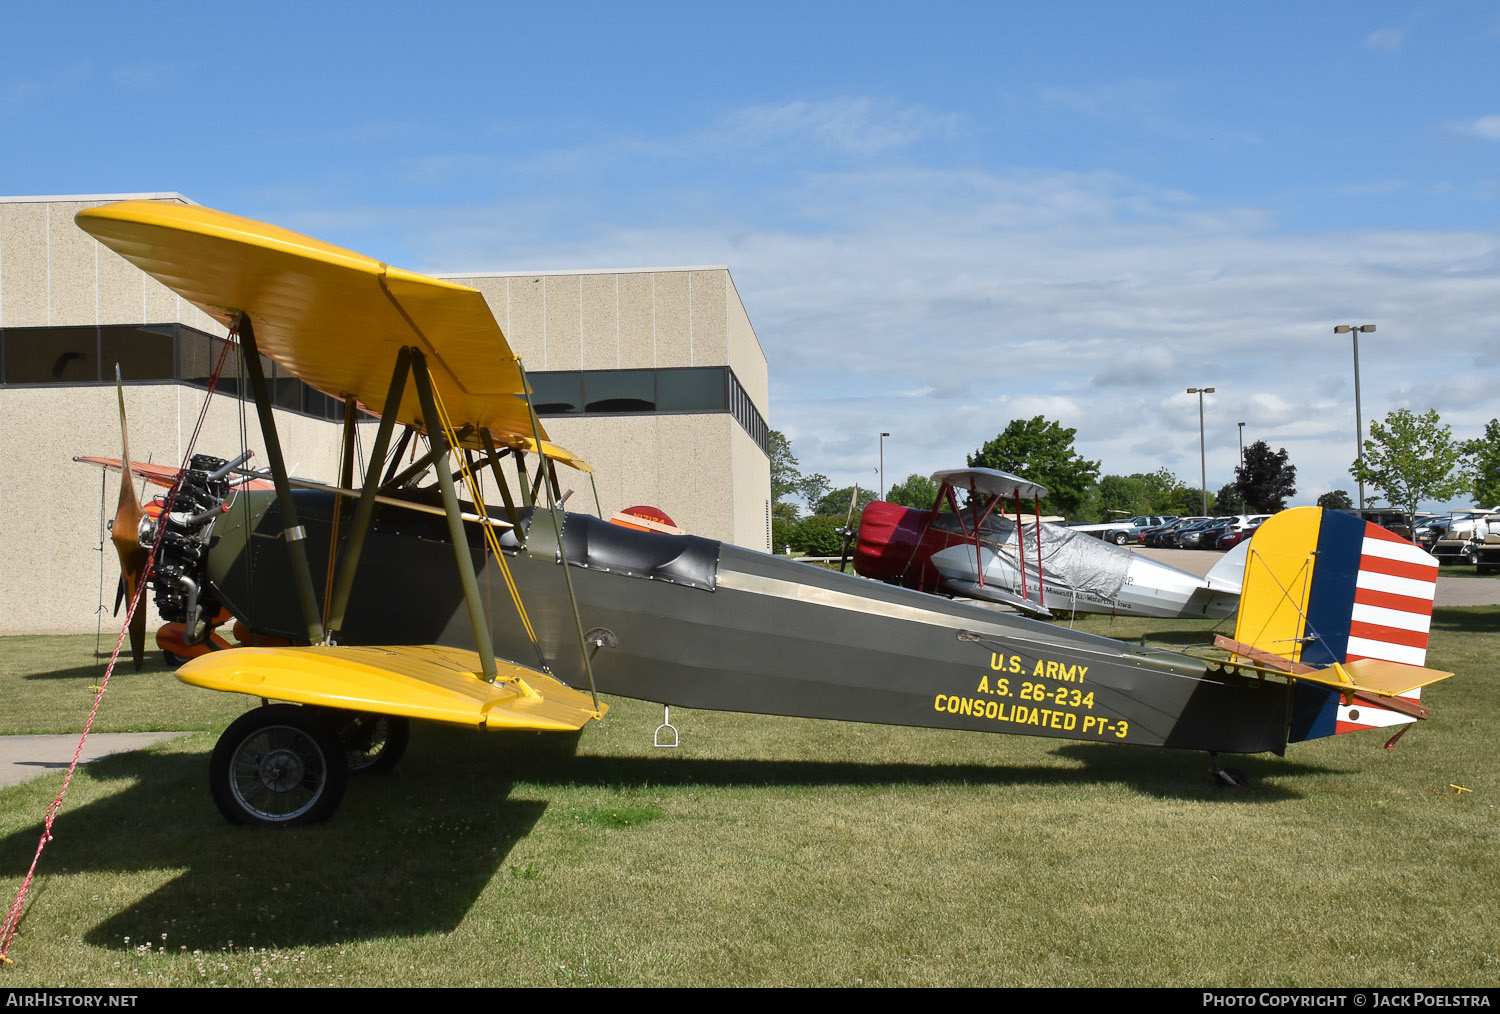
x: 769, y: 853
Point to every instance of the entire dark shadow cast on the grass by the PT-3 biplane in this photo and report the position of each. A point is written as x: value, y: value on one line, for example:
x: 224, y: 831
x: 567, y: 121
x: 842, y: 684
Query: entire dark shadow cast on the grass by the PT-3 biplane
x: 412, y: 853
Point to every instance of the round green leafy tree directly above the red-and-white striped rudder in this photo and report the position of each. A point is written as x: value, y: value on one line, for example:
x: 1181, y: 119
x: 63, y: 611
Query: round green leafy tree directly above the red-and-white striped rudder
x: 1412, y: 460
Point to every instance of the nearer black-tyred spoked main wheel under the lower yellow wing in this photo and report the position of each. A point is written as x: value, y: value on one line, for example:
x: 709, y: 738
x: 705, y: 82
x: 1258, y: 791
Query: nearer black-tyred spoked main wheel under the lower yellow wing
x: 280, y: 766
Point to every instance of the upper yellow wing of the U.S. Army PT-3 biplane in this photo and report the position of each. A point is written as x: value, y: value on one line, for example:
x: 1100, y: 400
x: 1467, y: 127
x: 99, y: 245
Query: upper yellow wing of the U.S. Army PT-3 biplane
x: 332, y: 317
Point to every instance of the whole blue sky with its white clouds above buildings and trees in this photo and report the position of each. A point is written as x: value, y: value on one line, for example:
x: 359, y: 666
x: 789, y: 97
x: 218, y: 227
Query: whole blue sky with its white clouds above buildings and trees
x: 938, y: 218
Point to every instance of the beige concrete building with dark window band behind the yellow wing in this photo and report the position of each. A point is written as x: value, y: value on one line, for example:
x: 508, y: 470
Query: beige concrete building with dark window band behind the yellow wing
x: 653, y: 376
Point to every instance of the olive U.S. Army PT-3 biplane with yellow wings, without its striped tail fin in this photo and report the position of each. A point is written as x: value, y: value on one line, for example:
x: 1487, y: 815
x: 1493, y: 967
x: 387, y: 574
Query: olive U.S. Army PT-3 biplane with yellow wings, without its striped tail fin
x: 403, y: 628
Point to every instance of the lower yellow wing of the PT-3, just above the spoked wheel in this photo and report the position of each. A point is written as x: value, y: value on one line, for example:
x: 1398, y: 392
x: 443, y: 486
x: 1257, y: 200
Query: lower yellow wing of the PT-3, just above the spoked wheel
x: 418, y: 682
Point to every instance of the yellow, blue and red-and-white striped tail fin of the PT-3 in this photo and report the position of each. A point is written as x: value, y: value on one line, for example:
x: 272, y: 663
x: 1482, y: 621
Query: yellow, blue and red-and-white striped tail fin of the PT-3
x: 1324, y: 590
